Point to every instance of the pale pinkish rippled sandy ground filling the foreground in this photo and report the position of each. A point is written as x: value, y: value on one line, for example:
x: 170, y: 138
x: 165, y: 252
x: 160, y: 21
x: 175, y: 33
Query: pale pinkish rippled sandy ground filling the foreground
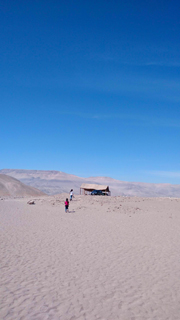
x: 109, y: 258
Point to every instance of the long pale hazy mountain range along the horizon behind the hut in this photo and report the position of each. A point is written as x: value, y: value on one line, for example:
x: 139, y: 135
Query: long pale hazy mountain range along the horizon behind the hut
x: 54, y: 182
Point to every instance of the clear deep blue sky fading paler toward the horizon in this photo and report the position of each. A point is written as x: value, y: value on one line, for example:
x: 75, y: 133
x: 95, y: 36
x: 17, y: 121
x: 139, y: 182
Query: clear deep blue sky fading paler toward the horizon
x: 91, y: 88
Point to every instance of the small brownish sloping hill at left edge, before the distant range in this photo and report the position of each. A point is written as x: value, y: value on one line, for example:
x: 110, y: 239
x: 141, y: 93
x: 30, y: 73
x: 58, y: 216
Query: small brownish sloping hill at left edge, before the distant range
x: 11, y: 187
